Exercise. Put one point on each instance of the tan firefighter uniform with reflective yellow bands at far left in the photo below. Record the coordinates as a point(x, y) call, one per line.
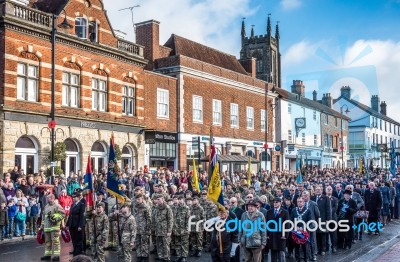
point(53, 214)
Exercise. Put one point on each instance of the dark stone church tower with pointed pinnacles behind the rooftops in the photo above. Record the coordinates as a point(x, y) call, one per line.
point(265, 49)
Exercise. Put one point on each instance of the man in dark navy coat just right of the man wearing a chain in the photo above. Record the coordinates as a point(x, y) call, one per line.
point(325, 212)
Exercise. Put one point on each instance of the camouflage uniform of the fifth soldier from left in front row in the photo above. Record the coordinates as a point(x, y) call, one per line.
point(180, 229)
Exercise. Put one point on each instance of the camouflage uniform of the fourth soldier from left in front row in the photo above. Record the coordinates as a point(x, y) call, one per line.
point(163, 220)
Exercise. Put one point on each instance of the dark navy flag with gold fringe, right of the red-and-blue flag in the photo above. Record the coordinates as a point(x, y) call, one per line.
point(113, 184)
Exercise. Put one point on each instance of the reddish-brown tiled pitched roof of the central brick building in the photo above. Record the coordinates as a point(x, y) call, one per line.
point(189, 48)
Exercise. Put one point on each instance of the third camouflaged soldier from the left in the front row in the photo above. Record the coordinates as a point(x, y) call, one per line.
point(142, 214)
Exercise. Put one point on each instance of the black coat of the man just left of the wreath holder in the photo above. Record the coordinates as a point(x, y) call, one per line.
point(274, 239)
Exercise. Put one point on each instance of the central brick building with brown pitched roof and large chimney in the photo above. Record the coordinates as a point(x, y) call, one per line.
point(212, 89)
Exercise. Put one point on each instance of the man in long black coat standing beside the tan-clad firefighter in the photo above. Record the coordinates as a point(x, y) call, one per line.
point(76, 224)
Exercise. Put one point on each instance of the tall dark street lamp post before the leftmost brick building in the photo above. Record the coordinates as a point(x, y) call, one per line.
point(52, 123)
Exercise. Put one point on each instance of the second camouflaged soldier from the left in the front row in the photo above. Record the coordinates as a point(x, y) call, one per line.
point(126, 232)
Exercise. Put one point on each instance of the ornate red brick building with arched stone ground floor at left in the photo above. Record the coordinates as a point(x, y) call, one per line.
point(100, 86)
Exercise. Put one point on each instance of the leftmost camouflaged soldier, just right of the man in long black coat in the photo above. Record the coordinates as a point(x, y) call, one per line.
point(100, 233)
